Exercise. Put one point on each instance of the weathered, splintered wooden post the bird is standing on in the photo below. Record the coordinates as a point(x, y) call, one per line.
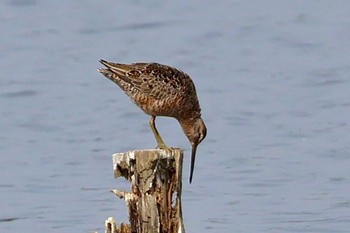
point(154, 201)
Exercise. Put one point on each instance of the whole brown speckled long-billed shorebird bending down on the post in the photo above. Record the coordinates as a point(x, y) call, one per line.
point(161, 90)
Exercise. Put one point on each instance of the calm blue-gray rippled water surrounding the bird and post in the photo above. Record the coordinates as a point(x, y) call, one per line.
point(273, 79)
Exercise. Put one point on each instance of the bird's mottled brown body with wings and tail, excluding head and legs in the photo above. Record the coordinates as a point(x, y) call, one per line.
point(157, 89)
